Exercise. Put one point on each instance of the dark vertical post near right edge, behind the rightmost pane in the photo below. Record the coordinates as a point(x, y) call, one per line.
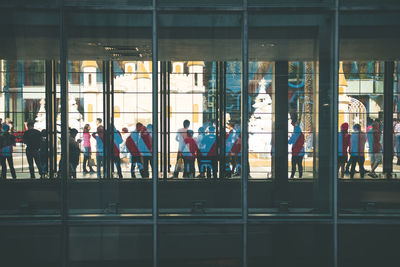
point(388, 119)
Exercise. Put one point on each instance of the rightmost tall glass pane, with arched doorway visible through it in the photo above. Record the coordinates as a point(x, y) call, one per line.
point(368, 107)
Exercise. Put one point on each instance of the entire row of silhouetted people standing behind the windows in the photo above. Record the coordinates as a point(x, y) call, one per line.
point(137, 146)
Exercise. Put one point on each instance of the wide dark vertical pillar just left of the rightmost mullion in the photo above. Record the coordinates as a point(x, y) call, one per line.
point(327, 116)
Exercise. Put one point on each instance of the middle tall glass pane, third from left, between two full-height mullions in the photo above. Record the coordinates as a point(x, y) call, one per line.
point(200, 104)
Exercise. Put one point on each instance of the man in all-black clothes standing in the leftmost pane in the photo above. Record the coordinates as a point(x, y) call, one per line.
point(32, 139)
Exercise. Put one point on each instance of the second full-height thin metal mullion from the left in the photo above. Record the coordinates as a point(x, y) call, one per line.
point(155, 132)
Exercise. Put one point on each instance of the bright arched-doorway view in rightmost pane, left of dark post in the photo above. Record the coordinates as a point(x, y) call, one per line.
point(360, 121)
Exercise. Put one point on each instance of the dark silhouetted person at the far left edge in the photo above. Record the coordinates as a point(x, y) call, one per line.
point(6, 152)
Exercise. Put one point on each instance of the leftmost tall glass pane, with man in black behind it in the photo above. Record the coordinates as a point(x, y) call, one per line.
point(28, 81)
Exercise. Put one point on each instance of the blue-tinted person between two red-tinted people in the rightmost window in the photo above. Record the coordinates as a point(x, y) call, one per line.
point(357, 146)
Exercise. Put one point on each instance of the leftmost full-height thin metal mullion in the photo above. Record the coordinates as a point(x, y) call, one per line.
point(64, 136)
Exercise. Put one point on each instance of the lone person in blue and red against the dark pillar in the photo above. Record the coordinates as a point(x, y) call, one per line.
point(297, 142)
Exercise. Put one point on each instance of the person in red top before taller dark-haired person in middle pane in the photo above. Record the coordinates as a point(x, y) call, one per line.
point(190, 152)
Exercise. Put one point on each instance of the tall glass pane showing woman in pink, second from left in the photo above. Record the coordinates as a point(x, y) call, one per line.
point(110, 112)
